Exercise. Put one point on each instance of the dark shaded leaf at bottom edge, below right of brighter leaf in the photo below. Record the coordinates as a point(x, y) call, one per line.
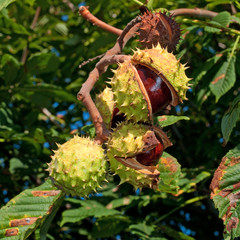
point(109, 226)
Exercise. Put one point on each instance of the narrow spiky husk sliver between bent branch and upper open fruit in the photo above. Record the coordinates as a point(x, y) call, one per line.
point(105, 104)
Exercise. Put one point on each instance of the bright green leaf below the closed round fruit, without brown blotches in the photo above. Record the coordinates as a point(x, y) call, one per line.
point(89, 208)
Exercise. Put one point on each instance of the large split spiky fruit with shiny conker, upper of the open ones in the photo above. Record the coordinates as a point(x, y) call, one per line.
point(152, 80)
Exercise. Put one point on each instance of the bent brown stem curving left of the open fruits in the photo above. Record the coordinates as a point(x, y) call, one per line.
point(102, 132)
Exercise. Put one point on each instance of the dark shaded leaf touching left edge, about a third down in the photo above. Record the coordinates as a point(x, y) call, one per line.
point(10, 67)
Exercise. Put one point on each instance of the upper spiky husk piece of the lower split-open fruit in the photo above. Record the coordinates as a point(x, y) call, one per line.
point(127, 140)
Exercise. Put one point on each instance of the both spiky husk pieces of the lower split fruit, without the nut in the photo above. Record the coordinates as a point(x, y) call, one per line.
point(128, 141)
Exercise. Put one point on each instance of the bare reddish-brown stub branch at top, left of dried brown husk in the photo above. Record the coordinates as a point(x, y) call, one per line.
point(87, 15)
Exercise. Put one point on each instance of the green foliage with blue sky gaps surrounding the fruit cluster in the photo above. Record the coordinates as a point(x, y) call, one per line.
point(39, 81)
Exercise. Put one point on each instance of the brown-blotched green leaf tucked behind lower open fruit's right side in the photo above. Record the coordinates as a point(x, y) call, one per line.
point(170, 171)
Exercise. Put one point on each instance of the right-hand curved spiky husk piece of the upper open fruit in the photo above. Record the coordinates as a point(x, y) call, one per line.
point(162, 61)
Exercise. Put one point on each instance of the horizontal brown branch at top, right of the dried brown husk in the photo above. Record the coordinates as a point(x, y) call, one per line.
point(193, 12)
